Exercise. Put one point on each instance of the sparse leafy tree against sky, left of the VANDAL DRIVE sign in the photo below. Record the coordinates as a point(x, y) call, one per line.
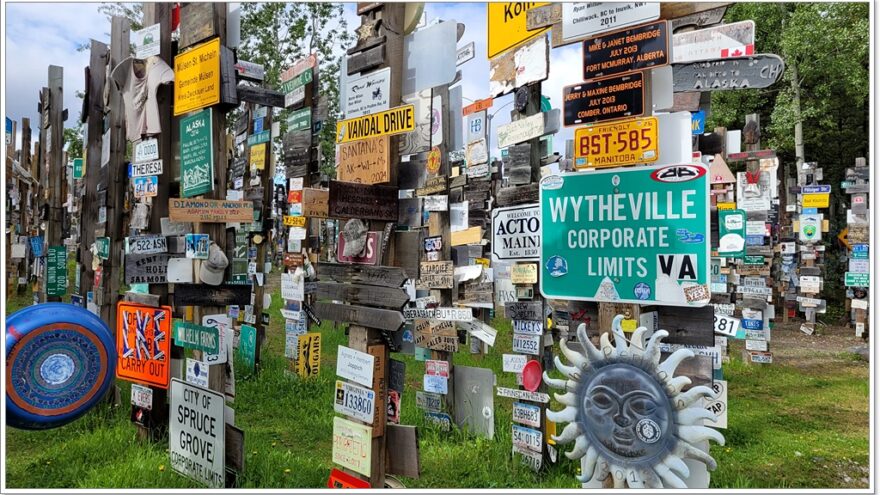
point(278, 34)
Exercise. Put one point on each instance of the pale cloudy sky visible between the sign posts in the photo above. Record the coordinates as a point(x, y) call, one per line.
point(41, 34)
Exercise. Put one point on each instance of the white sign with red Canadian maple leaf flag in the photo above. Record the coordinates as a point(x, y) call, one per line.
point(736, 39)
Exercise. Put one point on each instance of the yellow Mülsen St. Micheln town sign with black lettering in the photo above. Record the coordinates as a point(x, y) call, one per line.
point(197, 77)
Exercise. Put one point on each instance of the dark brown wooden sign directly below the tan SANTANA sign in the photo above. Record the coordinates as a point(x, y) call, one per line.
point(350, 200)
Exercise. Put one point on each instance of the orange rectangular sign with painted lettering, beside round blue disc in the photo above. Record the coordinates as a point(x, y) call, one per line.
point(143, 344)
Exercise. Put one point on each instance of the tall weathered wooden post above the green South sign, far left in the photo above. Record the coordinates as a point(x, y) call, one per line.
point(55, 158)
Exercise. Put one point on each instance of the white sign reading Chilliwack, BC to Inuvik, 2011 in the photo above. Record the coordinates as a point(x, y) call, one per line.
point(582, 20)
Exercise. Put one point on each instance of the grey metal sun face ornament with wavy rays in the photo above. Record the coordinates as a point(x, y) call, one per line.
point(626, 412)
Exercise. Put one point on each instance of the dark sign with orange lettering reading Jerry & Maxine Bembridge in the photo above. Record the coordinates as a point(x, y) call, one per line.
point(604, 99)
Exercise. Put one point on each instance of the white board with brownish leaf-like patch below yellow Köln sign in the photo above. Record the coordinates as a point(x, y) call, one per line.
point(523, 65)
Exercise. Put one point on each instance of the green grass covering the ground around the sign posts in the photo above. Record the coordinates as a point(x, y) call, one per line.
point(776, 413)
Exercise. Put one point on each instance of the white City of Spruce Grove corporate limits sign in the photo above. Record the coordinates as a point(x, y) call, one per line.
point(197, 440)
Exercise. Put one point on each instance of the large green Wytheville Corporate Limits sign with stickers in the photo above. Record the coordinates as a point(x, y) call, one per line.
point(638, 235)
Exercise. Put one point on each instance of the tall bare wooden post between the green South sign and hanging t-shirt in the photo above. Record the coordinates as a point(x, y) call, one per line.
point(92, 162)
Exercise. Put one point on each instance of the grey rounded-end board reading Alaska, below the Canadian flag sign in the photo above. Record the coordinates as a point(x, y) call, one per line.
point(754, 72)
